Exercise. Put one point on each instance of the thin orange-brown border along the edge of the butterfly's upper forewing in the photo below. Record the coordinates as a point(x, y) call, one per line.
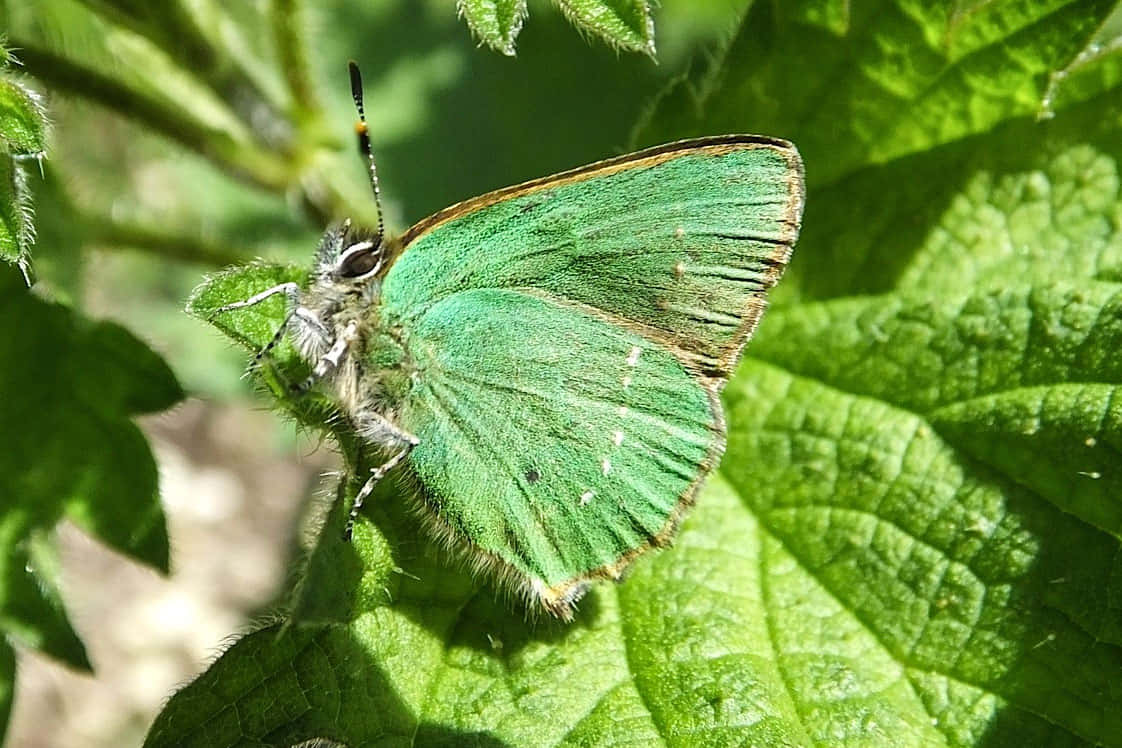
point(715, 145)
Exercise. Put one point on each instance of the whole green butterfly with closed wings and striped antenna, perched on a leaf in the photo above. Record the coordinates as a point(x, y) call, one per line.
point(547, 359)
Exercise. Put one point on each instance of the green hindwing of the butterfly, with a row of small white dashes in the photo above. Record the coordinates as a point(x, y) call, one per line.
point(556, 444)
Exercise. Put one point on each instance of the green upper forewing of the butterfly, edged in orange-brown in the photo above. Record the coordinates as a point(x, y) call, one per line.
point(682, 242)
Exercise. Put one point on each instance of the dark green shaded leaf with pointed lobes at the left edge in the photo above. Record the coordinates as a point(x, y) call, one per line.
point(84, 381)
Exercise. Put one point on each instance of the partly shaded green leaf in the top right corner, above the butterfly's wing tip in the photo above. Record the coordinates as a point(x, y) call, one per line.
point(862, 84)
